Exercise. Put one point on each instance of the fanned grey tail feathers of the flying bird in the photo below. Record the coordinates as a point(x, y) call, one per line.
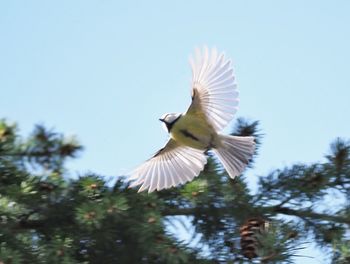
point(235, 153)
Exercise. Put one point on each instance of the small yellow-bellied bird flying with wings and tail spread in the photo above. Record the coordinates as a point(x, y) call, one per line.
point(199, 129)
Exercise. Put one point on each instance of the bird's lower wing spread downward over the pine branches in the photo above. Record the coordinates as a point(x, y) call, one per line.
point(172, 165)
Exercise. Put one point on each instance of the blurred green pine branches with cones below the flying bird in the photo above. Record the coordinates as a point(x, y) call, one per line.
point(48, 217)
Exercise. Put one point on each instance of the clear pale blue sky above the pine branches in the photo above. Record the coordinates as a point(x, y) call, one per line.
point(105, 71)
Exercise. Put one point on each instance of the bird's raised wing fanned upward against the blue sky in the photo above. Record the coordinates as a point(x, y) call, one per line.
point(214, 93)
